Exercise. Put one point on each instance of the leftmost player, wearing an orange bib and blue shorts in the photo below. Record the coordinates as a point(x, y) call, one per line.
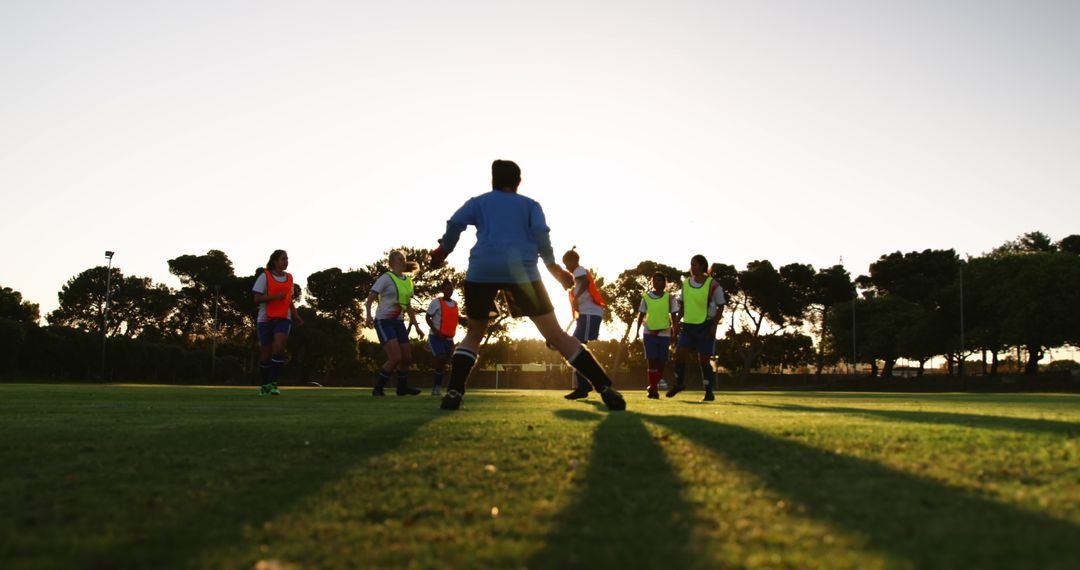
point(274, 293)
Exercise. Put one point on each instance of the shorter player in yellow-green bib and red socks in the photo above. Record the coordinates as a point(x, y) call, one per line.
point(659, 311)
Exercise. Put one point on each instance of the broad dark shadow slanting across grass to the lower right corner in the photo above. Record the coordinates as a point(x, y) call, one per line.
point(926, 523)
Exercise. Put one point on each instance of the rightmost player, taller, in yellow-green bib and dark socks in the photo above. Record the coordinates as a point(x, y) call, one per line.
point(703, 302)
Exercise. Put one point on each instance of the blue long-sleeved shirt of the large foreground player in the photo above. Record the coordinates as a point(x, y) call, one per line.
point(511, 235)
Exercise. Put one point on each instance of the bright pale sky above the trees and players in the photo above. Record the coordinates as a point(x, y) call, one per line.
point(788, 131)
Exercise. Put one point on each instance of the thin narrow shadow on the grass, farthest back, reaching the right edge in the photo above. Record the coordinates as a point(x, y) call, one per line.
point(969, 420)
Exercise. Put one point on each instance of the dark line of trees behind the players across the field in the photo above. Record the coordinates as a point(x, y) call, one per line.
point(1021, 298)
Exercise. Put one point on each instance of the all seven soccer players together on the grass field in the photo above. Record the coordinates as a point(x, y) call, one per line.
point(512, 236)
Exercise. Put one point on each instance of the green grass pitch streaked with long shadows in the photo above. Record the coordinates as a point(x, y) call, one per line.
point(199, 478)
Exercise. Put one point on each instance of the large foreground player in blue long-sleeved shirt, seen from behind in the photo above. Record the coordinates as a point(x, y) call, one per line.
point(511, 235)
